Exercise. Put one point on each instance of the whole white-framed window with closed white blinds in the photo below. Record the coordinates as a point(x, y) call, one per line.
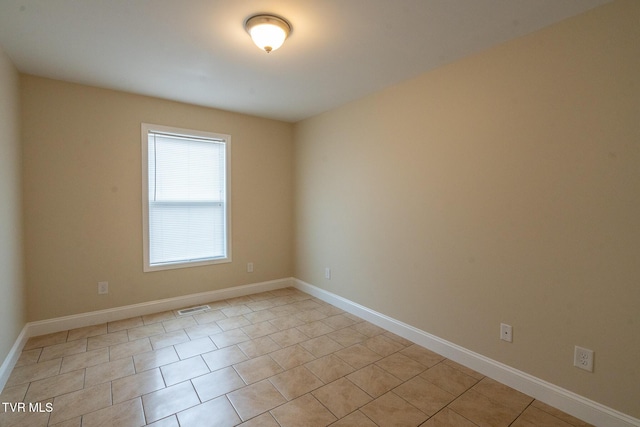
point(186, 213)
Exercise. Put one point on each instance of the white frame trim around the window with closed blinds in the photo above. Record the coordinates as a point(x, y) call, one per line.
point(146, 128)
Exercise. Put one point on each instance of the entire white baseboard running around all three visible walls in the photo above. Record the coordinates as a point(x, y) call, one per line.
point(567, 401)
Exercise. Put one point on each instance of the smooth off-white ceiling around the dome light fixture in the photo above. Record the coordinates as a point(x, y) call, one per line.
point(197, 51)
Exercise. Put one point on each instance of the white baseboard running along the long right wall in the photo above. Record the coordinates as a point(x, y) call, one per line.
point(565, 400)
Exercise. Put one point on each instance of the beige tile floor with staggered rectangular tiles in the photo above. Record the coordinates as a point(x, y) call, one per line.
point(279, 358)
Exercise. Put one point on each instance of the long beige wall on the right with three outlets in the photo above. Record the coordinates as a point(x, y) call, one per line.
point(501, 188)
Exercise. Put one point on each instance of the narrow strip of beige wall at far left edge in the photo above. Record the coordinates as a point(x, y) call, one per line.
point(12, 295)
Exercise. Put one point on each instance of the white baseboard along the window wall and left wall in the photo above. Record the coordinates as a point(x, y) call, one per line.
point(49, 326)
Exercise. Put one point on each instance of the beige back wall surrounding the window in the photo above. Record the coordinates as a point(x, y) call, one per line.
point(82, 198)
